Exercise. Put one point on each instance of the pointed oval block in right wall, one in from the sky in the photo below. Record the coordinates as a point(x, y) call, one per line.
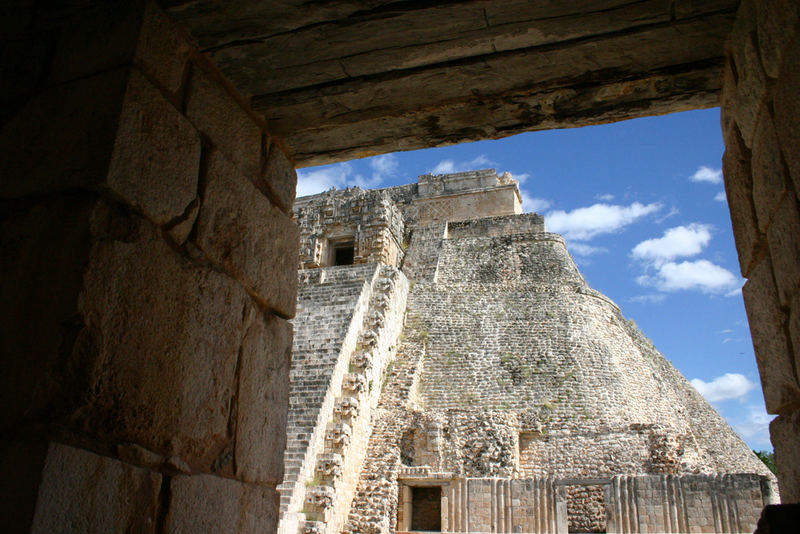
point(770, 182)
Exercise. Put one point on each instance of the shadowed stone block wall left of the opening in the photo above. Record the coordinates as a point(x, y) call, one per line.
point(148, 272)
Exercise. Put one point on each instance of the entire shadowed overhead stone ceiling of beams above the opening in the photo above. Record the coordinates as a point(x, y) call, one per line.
point(351, 79)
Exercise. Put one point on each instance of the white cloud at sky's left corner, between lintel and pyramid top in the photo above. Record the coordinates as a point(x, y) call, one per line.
point(341, 175)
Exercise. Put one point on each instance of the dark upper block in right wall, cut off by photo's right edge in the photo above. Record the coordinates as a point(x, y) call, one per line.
point(786, 101)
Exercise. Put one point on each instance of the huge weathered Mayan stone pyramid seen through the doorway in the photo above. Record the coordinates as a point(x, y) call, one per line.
point(452, 371)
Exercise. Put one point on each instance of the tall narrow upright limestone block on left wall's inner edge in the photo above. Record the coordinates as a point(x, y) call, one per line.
point(263, 400)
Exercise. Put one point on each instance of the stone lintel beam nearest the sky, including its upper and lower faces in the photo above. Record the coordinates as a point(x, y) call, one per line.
point(659, 69)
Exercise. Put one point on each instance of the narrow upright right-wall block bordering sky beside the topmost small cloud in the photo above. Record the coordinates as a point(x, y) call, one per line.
point(739, 191)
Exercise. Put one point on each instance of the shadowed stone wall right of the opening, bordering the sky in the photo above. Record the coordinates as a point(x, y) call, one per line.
point(760, 118)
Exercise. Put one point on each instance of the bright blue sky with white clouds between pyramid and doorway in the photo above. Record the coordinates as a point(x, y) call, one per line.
point(642, 206)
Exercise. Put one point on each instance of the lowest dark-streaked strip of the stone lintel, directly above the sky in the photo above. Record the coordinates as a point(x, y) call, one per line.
point(508, 114)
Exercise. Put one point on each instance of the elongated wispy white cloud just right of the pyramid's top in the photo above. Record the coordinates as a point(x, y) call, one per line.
point(586, 223)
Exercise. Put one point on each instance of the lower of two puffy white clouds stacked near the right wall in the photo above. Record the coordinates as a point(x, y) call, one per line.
point(699, 275)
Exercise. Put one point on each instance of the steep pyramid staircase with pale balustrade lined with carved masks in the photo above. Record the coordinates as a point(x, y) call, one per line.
point(337, 369)
